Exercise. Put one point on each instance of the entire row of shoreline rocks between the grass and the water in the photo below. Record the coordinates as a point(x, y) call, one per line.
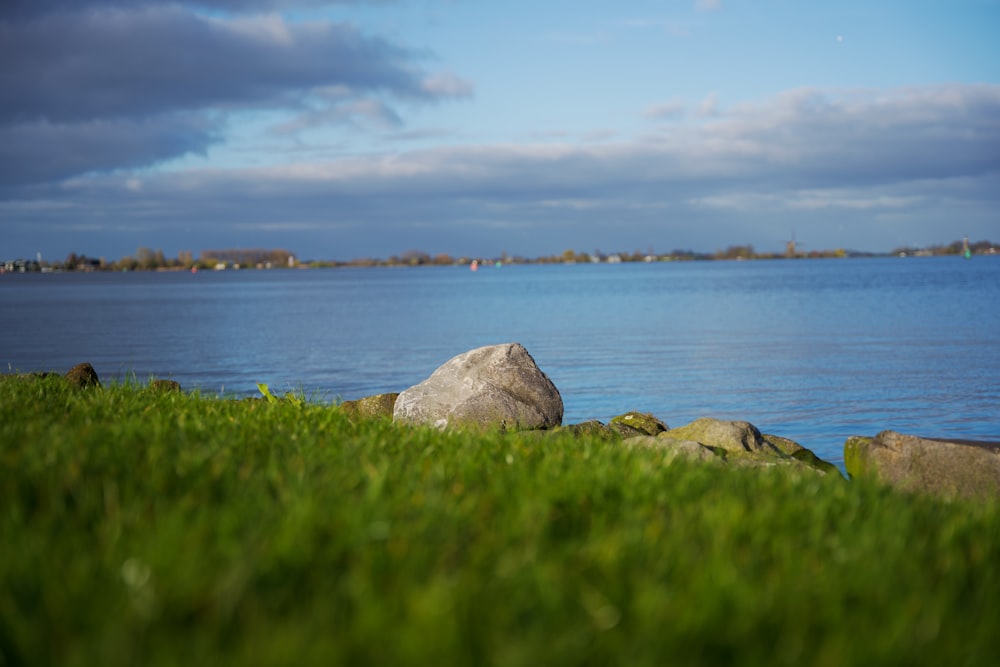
point(500, 387)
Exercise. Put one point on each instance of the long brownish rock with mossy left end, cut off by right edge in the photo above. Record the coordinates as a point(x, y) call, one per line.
point(948, 468)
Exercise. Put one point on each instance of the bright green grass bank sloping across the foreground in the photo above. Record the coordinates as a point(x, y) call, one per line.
point(148, 528)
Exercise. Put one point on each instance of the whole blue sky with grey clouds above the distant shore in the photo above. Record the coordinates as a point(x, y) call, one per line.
point(369, 128)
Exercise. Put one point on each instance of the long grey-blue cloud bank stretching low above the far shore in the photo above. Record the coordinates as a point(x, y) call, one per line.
point(861, 158)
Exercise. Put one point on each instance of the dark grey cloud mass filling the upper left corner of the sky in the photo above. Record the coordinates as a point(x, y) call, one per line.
point(108, 85)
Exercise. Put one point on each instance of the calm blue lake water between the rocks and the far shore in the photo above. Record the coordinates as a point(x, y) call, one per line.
point(812, 350)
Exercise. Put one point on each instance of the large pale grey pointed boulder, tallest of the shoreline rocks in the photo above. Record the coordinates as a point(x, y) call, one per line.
point(498, 386)
